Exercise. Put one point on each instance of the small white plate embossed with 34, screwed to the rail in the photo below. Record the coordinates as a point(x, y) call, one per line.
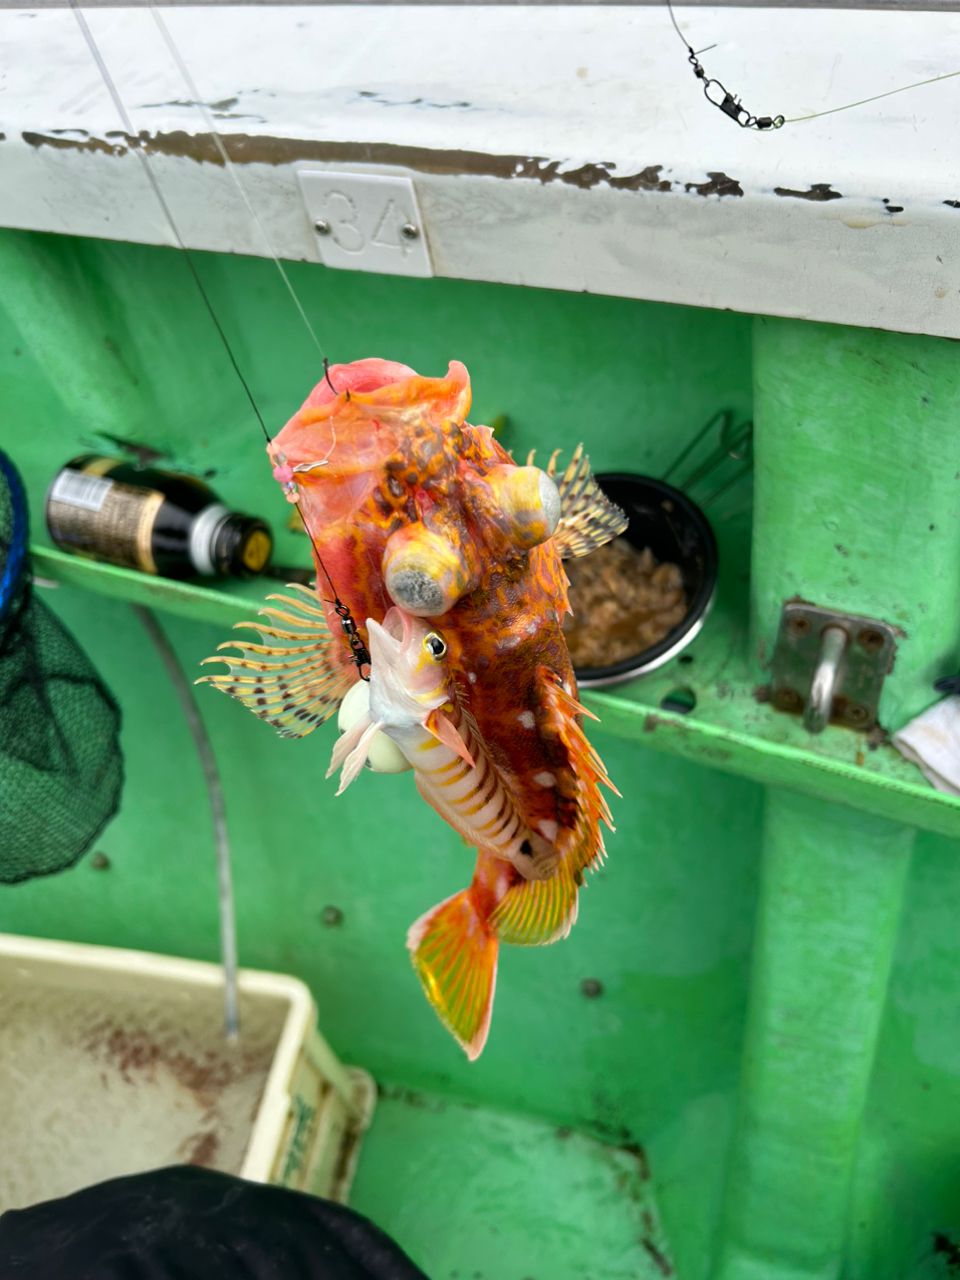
point(365, 223)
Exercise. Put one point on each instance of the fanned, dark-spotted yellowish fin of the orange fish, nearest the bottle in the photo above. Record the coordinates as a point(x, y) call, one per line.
point(296, 678)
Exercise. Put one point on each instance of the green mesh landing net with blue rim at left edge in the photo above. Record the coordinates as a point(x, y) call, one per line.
point(61, 765)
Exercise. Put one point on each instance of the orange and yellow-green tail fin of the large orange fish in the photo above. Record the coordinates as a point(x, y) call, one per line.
point(455, 956)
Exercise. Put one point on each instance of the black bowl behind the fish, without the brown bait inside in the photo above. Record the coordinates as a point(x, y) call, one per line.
point(676, 532)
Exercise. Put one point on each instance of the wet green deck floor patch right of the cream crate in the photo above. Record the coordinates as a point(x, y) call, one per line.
point(477, 1195)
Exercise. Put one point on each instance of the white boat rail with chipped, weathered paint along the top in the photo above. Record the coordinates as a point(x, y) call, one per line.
point(559, 89)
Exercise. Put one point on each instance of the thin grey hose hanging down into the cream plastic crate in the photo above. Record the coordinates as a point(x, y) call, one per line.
point(218, 812)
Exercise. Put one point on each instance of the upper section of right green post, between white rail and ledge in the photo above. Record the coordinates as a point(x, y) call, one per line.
point(858, 490)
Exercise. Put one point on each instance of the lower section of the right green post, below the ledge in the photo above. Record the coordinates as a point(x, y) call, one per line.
point(831, 892)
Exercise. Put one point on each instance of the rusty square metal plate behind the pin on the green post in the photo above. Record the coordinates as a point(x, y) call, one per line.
point(866, 661)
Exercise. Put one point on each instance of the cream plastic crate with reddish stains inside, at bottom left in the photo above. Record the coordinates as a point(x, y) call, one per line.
point(115, 1063)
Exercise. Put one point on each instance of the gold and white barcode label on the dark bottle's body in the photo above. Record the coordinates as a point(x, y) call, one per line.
point(104, 519)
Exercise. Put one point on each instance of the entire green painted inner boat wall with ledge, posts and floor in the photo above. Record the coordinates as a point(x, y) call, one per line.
point(761, 1080)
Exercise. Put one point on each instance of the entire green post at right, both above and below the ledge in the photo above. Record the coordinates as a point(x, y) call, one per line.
point(857, 505)
